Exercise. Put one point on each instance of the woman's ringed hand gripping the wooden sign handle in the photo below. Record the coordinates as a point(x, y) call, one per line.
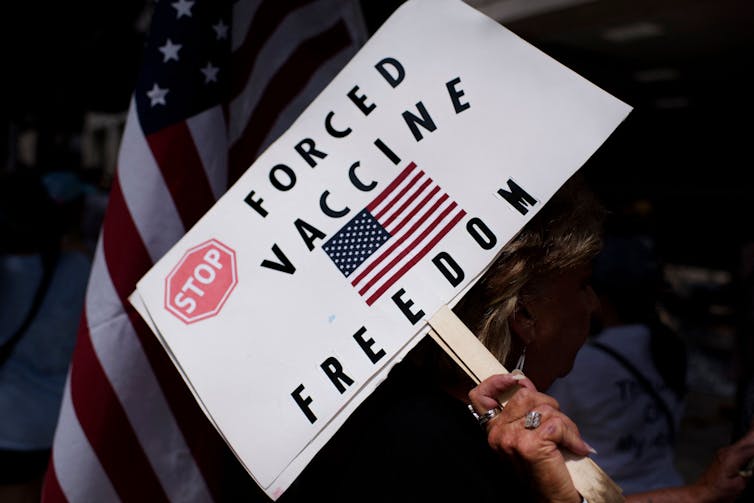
point(534, 451)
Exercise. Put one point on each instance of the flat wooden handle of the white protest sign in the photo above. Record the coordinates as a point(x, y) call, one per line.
point(474, 358)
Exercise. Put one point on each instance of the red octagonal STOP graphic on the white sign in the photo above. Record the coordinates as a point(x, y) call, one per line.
point(200, 284)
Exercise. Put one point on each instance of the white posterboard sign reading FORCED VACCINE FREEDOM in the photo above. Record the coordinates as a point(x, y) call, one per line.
point(291, 299)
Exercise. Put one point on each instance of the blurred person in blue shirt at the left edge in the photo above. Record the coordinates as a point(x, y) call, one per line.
point(43, 276)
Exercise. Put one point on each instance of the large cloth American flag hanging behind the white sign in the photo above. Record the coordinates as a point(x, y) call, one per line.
point(220, 81)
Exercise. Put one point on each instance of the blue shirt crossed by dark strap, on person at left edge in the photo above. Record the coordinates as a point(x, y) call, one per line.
point(33, 377)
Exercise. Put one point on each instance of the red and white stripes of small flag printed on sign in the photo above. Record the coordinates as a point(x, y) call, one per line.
point(417, 214)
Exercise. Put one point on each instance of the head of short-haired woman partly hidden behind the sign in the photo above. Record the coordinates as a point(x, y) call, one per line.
point(536, 295)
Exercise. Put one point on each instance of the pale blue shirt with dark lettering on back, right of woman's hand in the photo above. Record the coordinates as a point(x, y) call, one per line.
point(616, 416)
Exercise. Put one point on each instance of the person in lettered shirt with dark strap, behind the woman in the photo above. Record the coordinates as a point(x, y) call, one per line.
point(626, 389)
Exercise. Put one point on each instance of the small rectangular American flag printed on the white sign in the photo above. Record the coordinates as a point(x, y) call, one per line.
point(409, 217)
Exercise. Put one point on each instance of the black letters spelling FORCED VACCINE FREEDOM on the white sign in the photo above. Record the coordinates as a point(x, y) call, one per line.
point(283, 178)
